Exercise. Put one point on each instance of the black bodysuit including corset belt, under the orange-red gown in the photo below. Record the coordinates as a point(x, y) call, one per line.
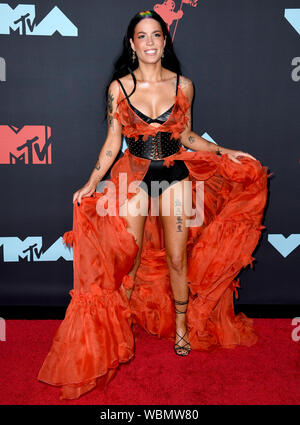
point(166, 147)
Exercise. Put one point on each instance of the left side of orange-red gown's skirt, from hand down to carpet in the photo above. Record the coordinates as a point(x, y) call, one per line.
point(95, 335)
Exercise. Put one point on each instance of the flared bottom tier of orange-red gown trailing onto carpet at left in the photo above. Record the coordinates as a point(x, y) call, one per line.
point(92, 340)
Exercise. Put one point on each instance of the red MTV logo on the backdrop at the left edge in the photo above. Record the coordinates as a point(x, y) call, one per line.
point(30, 144)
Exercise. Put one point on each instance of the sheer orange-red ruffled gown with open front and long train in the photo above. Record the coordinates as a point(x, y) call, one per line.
point(97, 333)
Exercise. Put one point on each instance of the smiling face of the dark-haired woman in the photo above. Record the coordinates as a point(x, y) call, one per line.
point(148, 41)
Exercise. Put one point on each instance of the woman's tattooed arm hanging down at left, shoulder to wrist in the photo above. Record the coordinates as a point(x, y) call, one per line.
point(112, 144)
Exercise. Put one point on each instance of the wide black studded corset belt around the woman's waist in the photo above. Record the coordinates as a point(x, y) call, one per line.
point(155, 147)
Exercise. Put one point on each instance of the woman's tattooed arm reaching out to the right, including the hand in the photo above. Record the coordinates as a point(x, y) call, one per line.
point(192, 140)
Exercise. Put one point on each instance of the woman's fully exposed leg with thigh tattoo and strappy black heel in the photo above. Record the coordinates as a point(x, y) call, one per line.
point(178, 201)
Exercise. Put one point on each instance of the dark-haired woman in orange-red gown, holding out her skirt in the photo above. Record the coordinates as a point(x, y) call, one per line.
point(129, 270)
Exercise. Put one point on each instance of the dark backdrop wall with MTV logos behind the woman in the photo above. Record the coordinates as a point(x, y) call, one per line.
point(243, 58)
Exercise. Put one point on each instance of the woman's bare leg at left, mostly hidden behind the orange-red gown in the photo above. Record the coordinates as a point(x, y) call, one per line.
point(136, 226)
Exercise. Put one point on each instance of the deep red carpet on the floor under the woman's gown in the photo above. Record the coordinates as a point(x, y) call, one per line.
point(266, 373)
